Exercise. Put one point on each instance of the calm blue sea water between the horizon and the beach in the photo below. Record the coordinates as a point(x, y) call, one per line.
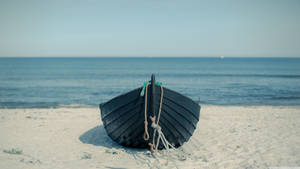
point(55, 82)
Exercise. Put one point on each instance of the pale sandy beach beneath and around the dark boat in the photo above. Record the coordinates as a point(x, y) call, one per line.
point(74, 138)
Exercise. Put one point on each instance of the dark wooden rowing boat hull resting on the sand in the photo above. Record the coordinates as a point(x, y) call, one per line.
point(123, 116)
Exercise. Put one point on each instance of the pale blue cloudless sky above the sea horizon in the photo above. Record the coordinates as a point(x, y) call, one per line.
point(237, 28)
